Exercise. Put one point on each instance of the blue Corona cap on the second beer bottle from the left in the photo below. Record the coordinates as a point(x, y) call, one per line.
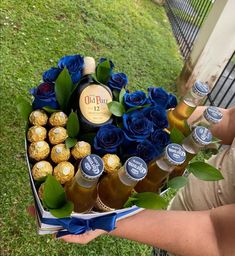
point(136, 168)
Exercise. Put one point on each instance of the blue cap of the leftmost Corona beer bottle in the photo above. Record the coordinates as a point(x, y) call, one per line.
point(91, 166)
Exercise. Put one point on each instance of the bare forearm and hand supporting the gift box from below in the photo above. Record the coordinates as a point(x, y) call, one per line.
point(184, 233)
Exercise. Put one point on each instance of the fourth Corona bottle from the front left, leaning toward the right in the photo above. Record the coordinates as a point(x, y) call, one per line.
point(196, 141)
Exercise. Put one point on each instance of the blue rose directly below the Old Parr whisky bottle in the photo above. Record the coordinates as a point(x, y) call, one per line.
point(108, 139)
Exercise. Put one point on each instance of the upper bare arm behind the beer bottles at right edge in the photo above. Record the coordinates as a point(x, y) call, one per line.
point(225, 130)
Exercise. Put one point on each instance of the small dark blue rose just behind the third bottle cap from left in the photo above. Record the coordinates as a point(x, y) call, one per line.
point(160, 139)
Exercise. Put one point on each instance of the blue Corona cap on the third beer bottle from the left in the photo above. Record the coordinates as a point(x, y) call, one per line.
point(175, 154)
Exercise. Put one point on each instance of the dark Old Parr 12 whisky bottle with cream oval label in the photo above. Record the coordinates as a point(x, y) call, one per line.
point(92, 98)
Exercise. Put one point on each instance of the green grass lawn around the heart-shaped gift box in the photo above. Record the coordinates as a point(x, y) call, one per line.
point(136, 35)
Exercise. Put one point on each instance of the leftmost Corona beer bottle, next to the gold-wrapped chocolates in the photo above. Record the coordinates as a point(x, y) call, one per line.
point(82, 189)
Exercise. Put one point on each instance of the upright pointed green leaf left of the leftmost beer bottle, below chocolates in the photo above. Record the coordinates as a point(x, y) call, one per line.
point(54, 195)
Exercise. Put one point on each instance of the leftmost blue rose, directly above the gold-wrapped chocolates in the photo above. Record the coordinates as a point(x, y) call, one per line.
point(44, 96)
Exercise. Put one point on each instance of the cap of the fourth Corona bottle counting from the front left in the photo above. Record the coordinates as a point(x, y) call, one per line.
point(202, 135)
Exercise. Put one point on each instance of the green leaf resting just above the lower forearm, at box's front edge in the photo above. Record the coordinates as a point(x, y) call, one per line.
point(147, 200)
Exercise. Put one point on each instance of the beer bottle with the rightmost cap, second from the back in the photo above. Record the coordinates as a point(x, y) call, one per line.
point(210, 116)
